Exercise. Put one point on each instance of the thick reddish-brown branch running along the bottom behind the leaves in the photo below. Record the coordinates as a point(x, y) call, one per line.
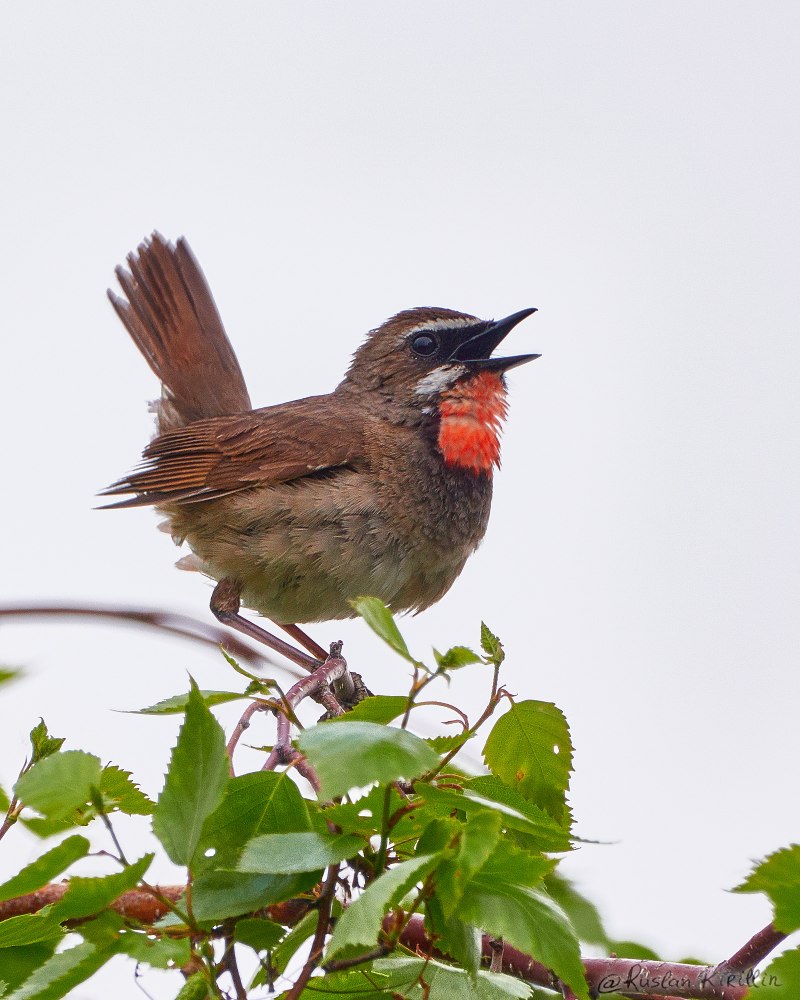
point(729, 980)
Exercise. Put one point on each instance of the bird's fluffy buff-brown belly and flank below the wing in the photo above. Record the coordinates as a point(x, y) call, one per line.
point(301, 552)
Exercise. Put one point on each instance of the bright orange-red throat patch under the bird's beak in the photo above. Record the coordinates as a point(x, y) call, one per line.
point(472, 413)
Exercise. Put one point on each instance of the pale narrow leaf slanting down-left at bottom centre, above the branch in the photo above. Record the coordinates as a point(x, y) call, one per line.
point(360, 923)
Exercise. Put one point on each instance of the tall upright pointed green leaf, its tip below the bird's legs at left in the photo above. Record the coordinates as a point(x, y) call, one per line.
point(195, 783)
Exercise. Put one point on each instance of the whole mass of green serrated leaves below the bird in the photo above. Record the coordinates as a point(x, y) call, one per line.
point(397, 833)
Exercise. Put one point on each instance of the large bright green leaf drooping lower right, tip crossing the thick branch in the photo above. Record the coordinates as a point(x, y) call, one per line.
point(504, 899)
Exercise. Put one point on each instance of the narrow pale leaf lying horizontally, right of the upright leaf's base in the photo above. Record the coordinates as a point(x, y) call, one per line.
point(289, 853)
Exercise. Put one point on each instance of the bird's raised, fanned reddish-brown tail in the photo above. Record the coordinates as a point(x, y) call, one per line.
point(172, 318)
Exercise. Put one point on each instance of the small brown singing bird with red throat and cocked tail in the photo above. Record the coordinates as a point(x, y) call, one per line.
point(381, 487)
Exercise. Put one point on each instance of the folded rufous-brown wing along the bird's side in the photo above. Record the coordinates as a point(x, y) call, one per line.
point(211, 458)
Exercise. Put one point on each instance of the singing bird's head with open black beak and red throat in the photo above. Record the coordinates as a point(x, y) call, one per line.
point(438, 363)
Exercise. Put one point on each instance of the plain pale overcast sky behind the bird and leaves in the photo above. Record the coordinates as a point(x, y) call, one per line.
point(631, 169)
